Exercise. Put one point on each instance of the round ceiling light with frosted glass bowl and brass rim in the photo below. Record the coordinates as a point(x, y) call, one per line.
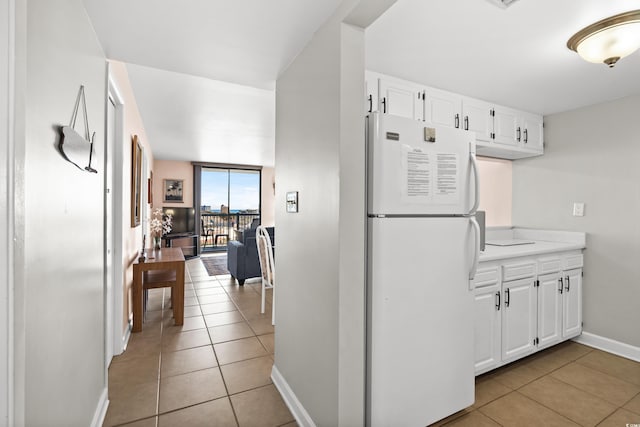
point(608, 40)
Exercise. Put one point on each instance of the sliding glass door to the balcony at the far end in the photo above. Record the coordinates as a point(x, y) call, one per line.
point(229, 201)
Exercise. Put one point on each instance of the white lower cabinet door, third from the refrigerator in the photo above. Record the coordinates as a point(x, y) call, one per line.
point(550, 292)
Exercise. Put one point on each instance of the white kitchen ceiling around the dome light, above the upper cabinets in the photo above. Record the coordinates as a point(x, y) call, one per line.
point(515, 57)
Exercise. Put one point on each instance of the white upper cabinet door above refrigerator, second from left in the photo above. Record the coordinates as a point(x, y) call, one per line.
point(401, 99)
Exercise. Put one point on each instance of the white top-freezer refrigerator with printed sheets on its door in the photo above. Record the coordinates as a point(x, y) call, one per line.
point(423, 248)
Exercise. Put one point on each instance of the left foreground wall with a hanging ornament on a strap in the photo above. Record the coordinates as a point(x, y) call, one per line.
point(60, 375)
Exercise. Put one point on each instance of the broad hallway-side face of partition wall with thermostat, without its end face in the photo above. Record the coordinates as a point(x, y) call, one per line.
point(307, 155)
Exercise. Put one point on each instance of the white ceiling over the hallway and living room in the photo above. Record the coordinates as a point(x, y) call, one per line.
point(203, 72)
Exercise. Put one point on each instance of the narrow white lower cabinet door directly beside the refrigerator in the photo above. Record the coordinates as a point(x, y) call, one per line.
point(487, 327)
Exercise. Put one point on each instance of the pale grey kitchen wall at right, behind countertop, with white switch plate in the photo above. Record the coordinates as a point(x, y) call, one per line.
point(591, 156)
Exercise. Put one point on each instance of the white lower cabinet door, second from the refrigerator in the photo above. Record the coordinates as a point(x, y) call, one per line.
point(518, 318)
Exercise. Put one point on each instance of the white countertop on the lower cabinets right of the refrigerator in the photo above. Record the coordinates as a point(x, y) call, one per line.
point(545, 241)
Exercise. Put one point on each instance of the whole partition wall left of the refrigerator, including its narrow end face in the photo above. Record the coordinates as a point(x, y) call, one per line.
point(320, 297)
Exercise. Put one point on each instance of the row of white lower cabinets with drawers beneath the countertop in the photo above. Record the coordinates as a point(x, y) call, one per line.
point(525, 305)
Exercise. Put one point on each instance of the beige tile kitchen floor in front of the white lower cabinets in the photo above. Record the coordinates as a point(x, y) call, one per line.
point(565, 385)
